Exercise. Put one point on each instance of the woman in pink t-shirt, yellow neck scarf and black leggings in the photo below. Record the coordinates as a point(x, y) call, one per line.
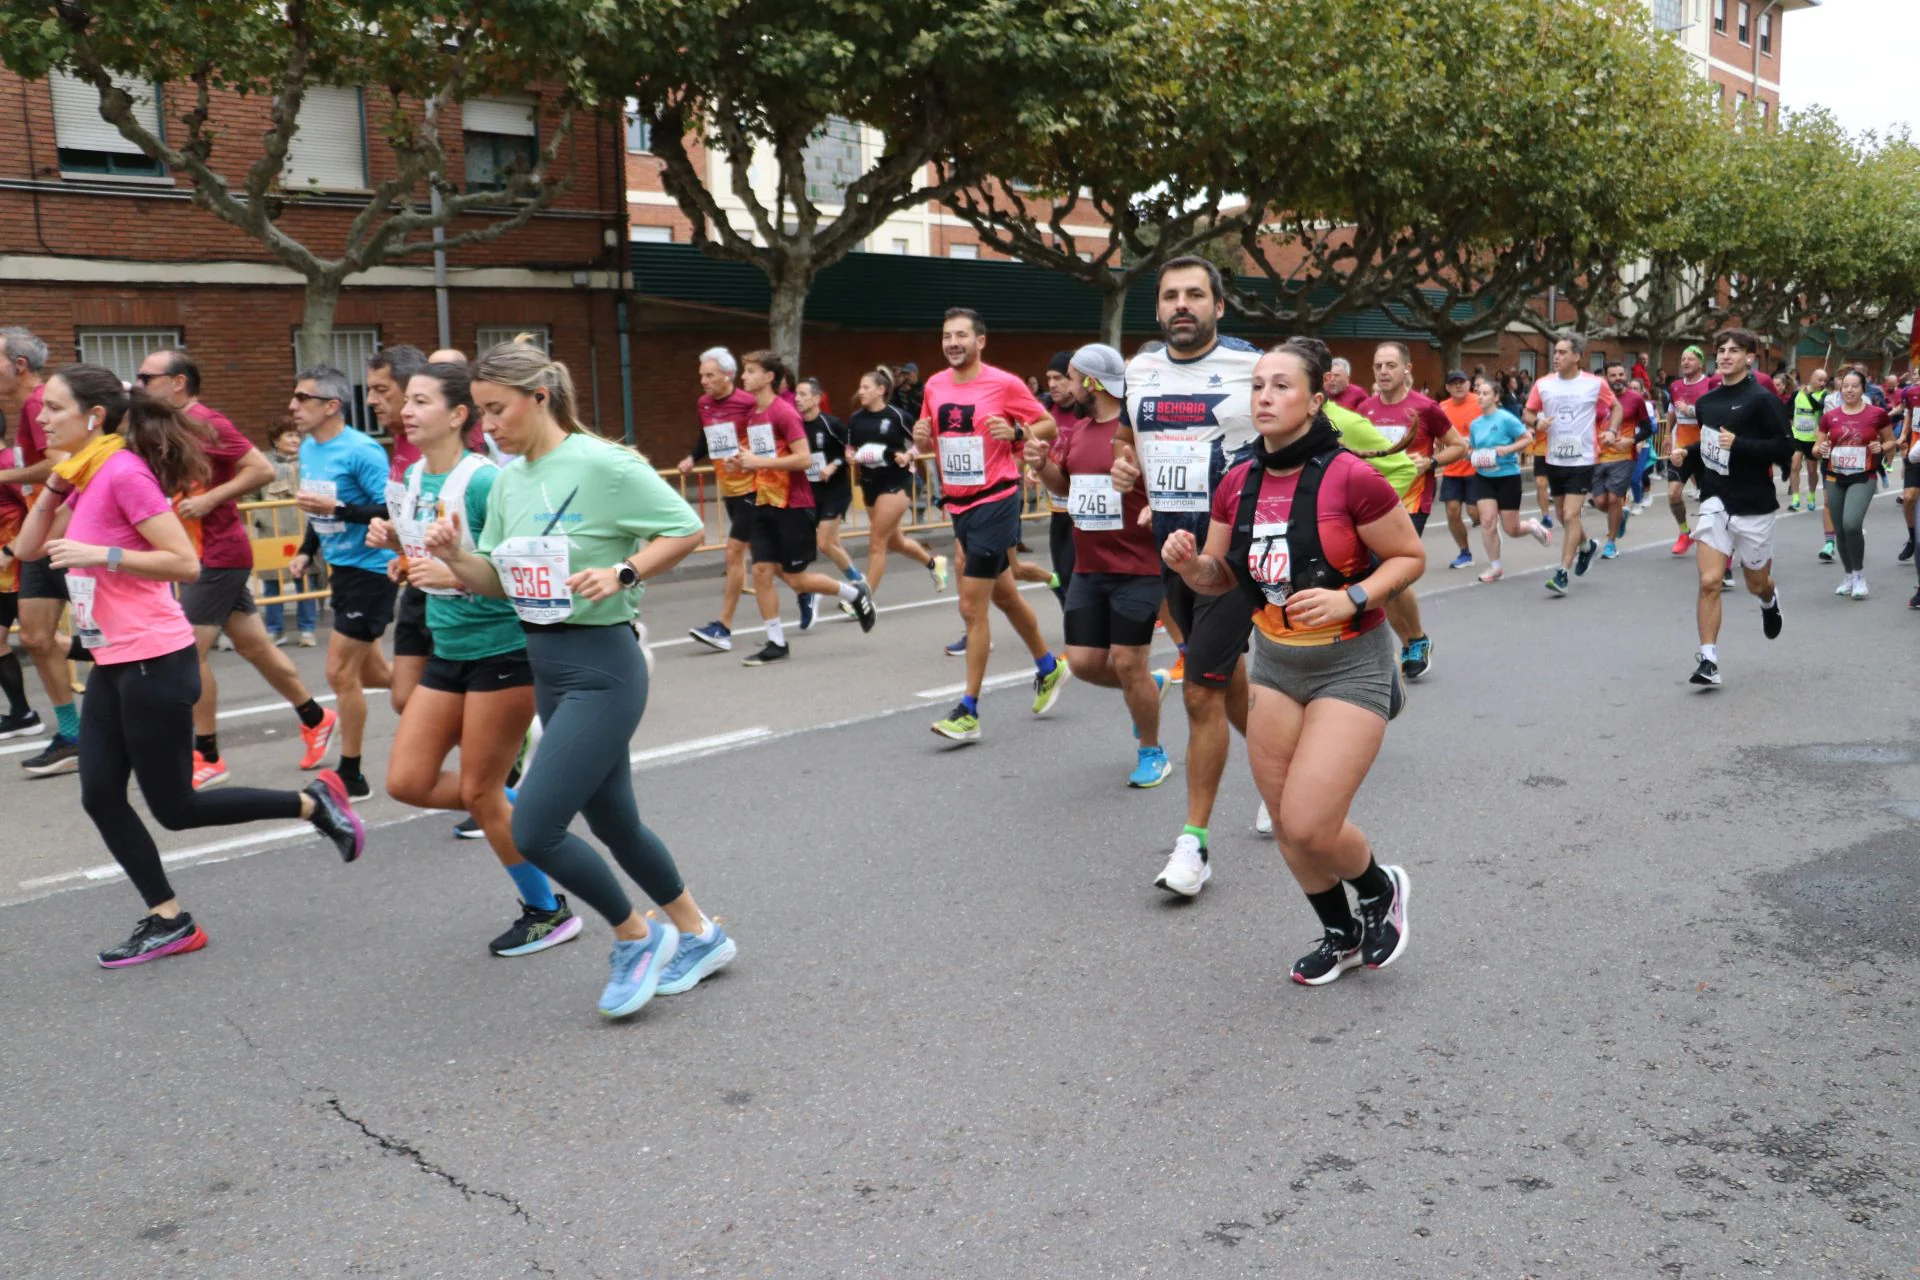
point(107, 519)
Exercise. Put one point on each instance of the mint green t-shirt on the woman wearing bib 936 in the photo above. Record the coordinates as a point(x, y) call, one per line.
point(606, 502)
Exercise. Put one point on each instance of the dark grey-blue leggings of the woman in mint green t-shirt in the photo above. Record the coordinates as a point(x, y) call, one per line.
point(590, 686)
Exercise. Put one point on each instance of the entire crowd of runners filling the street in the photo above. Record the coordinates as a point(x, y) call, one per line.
point(1257, 508)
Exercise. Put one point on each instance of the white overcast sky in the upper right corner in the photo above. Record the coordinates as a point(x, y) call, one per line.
point(1854, 59)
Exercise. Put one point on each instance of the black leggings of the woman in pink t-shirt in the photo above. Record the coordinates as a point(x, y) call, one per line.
point(137, 721)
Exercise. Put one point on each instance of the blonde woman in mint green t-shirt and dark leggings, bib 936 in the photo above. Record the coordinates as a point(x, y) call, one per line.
point(575, 592)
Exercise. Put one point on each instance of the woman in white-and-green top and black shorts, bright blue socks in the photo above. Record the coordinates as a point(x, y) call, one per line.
point(477, 692)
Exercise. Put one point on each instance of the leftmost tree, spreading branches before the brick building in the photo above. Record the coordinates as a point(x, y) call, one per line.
point(420, 59)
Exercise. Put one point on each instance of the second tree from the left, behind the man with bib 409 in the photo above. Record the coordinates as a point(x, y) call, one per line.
point(944, 83)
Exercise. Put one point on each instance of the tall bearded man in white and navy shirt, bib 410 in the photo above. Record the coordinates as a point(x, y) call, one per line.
point(1188, 421)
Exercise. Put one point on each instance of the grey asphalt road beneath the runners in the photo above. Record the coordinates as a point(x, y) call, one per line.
point(1658, 1016)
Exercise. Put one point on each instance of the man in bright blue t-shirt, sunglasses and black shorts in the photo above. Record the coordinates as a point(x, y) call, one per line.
point(343, 488)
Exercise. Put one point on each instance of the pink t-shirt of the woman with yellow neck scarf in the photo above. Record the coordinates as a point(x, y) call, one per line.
point(137, 617)
